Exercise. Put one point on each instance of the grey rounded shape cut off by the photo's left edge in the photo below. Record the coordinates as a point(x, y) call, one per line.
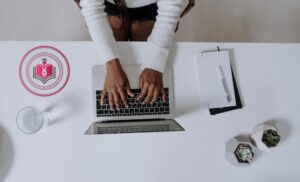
point(6, 153)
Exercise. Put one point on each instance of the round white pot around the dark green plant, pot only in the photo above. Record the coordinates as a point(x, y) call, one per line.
point(258, 134)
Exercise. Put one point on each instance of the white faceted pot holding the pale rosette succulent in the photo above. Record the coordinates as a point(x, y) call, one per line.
point(233, 150)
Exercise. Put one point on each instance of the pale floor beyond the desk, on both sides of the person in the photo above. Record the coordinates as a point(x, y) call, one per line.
point(211, 20)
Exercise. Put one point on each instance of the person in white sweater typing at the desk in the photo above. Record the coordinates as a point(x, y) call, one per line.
point(153, 21)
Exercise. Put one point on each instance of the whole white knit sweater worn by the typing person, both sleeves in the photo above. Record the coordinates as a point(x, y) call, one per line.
point(158, 43)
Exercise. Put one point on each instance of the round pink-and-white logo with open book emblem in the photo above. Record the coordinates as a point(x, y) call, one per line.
point(44, 71)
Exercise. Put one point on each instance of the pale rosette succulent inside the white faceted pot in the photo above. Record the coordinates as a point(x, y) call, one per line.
point(244, 153)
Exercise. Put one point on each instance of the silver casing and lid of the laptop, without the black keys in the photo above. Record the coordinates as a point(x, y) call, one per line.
point(129, 124)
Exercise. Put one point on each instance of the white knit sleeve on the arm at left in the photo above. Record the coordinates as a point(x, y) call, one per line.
point(99, 28)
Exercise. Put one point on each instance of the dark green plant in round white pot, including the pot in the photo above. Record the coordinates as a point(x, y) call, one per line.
point(265, 137)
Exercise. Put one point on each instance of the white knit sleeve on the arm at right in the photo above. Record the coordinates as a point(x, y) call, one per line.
point(161, 38)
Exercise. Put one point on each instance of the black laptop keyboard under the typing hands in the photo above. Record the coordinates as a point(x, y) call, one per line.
point(135, 107)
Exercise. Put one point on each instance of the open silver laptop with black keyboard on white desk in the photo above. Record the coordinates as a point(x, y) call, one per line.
point(138, 117)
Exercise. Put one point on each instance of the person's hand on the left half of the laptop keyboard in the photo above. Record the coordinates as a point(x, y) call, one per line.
point(116, 85)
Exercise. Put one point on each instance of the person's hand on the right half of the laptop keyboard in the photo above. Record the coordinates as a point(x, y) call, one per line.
point(151, 85)
